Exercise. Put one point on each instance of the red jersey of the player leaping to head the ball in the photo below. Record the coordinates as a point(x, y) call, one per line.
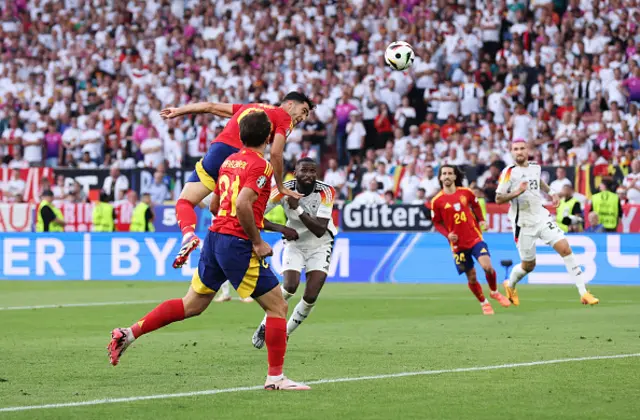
point(280, 123)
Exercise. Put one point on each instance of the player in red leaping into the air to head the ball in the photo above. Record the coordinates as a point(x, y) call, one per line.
point(294, 109)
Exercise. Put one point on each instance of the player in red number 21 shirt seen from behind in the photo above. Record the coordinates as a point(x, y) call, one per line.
point(234, 250)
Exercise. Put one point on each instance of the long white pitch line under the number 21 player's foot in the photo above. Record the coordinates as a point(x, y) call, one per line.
point(321, 381)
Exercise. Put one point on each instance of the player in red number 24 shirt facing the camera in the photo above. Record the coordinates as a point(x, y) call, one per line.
point(452, 216)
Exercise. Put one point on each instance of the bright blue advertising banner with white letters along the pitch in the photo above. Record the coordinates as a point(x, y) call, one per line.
point(357, 257)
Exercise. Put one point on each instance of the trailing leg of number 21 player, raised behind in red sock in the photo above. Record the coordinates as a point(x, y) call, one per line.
point(167, 312)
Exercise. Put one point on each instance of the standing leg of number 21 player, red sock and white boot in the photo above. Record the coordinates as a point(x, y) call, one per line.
point(276, 309)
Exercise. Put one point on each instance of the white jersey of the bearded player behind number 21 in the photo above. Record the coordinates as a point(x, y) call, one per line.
point(319, 204)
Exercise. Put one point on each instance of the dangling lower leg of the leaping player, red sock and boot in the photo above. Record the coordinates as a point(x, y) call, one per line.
point(192, 194)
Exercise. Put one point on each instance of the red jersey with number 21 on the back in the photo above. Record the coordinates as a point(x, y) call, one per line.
point(243, 169)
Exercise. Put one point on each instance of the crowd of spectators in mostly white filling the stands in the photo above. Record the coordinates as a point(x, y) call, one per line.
point(82, 83)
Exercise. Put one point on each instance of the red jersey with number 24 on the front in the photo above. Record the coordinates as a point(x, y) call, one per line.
point(455, 211)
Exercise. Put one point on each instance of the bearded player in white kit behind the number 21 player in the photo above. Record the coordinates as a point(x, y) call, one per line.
point(308, 238)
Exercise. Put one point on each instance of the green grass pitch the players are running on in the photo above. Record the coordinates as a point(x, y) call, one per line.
point(57, 355)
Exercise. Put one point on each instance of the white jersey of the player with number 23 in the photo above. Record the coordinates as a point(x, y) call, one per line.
point(527, 210)
